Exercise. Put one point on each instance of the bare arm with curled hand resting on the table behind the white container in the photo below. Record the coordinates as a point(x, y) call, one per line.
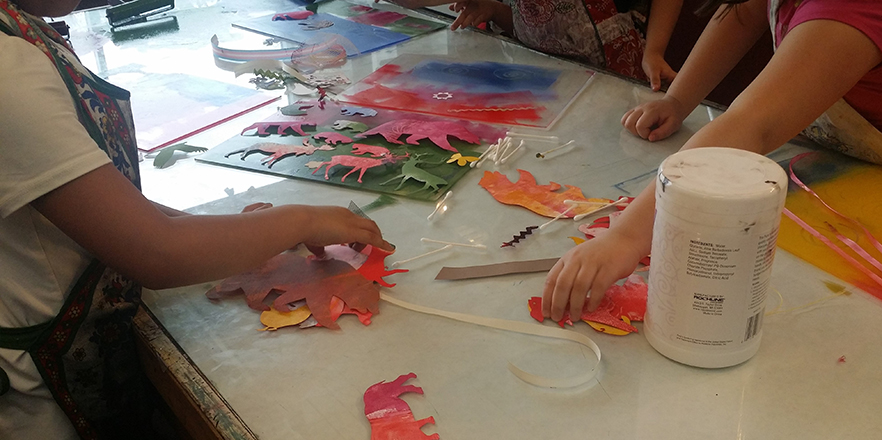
point(723, 43)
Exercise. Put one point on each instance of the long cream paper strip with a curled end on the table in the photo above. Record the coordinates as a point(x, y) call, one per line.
point(518, 327)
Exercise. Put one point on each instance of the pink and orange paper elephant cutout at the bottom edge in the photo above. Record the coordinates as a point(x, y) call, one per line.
point(391, 417)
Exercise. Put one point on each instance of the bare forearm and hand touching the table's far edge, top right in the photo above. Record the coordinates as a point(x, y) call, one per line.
point(663, 16)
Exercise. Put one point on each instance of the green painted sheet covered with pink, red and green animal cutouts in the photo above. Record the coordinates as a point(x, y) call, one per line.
point(392, 153)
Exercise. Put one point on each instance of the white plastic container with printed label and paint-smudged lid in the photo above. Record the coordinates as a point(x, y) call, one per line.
point(716, 224)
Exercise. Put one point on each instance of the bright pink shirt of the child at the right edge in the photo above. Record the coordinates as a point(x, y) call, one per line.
point(863, 15)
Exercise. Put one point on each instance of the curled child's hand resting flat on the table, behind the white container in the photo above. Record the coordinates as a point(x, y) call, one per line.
point(655, 120)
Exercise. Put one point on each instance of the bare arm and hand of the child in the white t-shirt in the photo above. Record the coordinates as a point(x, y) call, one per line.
point(103, 212)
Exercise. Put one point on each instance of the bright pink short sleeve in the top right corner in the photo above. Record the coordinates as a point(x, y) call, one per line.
point(863, 15)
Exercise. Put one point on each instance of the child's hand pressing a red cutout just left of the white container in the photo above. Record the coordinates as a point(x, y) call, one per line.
point(591, 266)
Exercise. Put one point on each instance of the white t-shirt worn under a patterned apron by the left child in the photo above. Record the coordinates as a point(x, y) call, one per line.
point(42, 147)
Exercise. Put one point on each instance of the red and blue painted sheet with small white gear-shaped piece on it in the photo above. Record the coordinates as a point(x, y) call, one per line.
point(485, 91)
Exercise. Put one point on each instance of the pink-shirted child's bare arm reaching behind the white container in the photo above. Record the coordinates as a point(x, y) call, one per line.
point(816, 64)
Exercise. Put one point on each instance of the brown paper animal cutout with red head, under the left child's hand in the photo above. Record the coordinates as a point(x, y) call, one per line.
point(315, 280)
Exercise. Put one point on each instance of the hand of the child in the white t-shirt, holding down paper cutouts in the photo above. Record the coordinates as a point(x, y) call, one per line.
point(327, 225)
